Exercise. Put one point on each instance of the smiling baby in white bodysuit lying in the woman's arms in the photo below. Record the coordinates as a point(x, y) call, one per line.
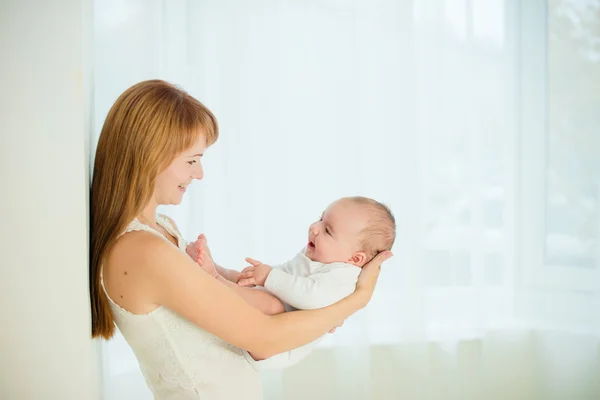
point(348, 235)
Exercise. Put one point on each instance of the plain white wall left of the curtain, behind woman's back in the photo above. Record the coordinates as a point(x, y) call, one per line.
point(45, 346)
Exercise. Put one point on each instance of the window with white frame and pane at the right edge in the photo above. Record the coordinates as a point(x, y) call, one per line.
point(563, 68)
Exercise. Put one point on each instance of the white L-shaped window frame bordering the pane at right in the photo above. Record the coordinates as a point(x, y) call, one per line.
point(532, 59)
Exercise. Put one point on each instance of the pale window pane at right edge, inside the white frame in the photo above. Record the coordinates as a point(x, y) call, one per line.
point(573, 146)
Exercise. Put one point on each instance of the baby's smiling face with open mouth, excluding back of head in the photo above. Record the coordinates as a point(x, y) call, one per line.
point(335, 237)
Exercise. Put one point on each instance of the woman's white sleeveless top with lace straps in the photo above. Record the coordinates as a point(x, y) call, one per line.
point(178, 359)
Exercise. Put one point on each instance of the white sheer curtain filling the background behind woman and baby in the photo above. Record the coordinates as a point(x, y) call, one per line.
point(475, 121)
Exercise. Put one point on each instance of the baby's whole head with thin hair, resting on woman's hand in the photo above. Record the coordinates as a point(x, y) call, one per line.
point(351, 230)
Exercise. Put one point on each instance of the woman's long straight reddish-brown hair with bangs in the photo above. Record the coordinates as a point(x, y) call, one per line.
point(147, 127)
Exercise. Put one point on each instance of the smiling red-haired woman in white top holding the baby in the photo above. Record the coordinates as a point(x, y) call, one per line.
point(185, 327)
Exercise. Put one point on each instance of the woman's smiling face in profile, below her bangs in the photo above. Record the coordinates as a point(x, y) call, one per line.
point(172, 183)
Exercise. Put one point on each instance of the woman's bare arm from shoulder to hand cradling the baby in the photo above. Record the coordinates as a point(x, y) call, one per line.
point(172, 279)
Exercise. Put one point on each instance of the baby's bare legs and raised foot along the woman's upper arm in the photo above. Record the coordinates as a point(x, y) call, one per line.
point(259, 299)
